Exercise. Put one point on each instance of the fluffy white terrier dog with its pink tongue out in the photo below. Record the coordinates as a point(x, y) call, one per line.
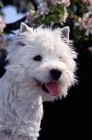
point(41, 68)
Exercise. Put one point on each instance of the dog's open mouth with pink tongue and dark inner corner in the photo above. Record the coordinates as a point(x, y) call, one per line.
point(52, 88)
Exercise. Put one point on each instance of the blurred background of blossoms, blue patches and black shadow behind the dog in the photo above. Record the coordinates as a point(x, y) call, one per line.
point(71, 117)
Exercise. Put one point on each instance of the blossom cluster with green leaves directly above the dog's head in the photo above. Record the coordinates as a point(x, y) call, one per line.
point(49, 12)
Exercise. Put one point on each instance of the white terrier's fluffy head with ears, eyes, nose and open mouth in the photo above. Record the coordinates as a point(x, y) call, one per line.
point(46, 61)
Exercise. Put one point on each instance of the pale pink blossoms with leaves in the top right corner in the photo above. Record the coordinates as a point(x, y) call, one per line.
point(80, 13)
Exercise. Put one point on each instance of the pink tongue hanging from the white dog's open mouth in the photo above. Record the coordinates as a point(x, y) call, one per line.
point(53, 88)
